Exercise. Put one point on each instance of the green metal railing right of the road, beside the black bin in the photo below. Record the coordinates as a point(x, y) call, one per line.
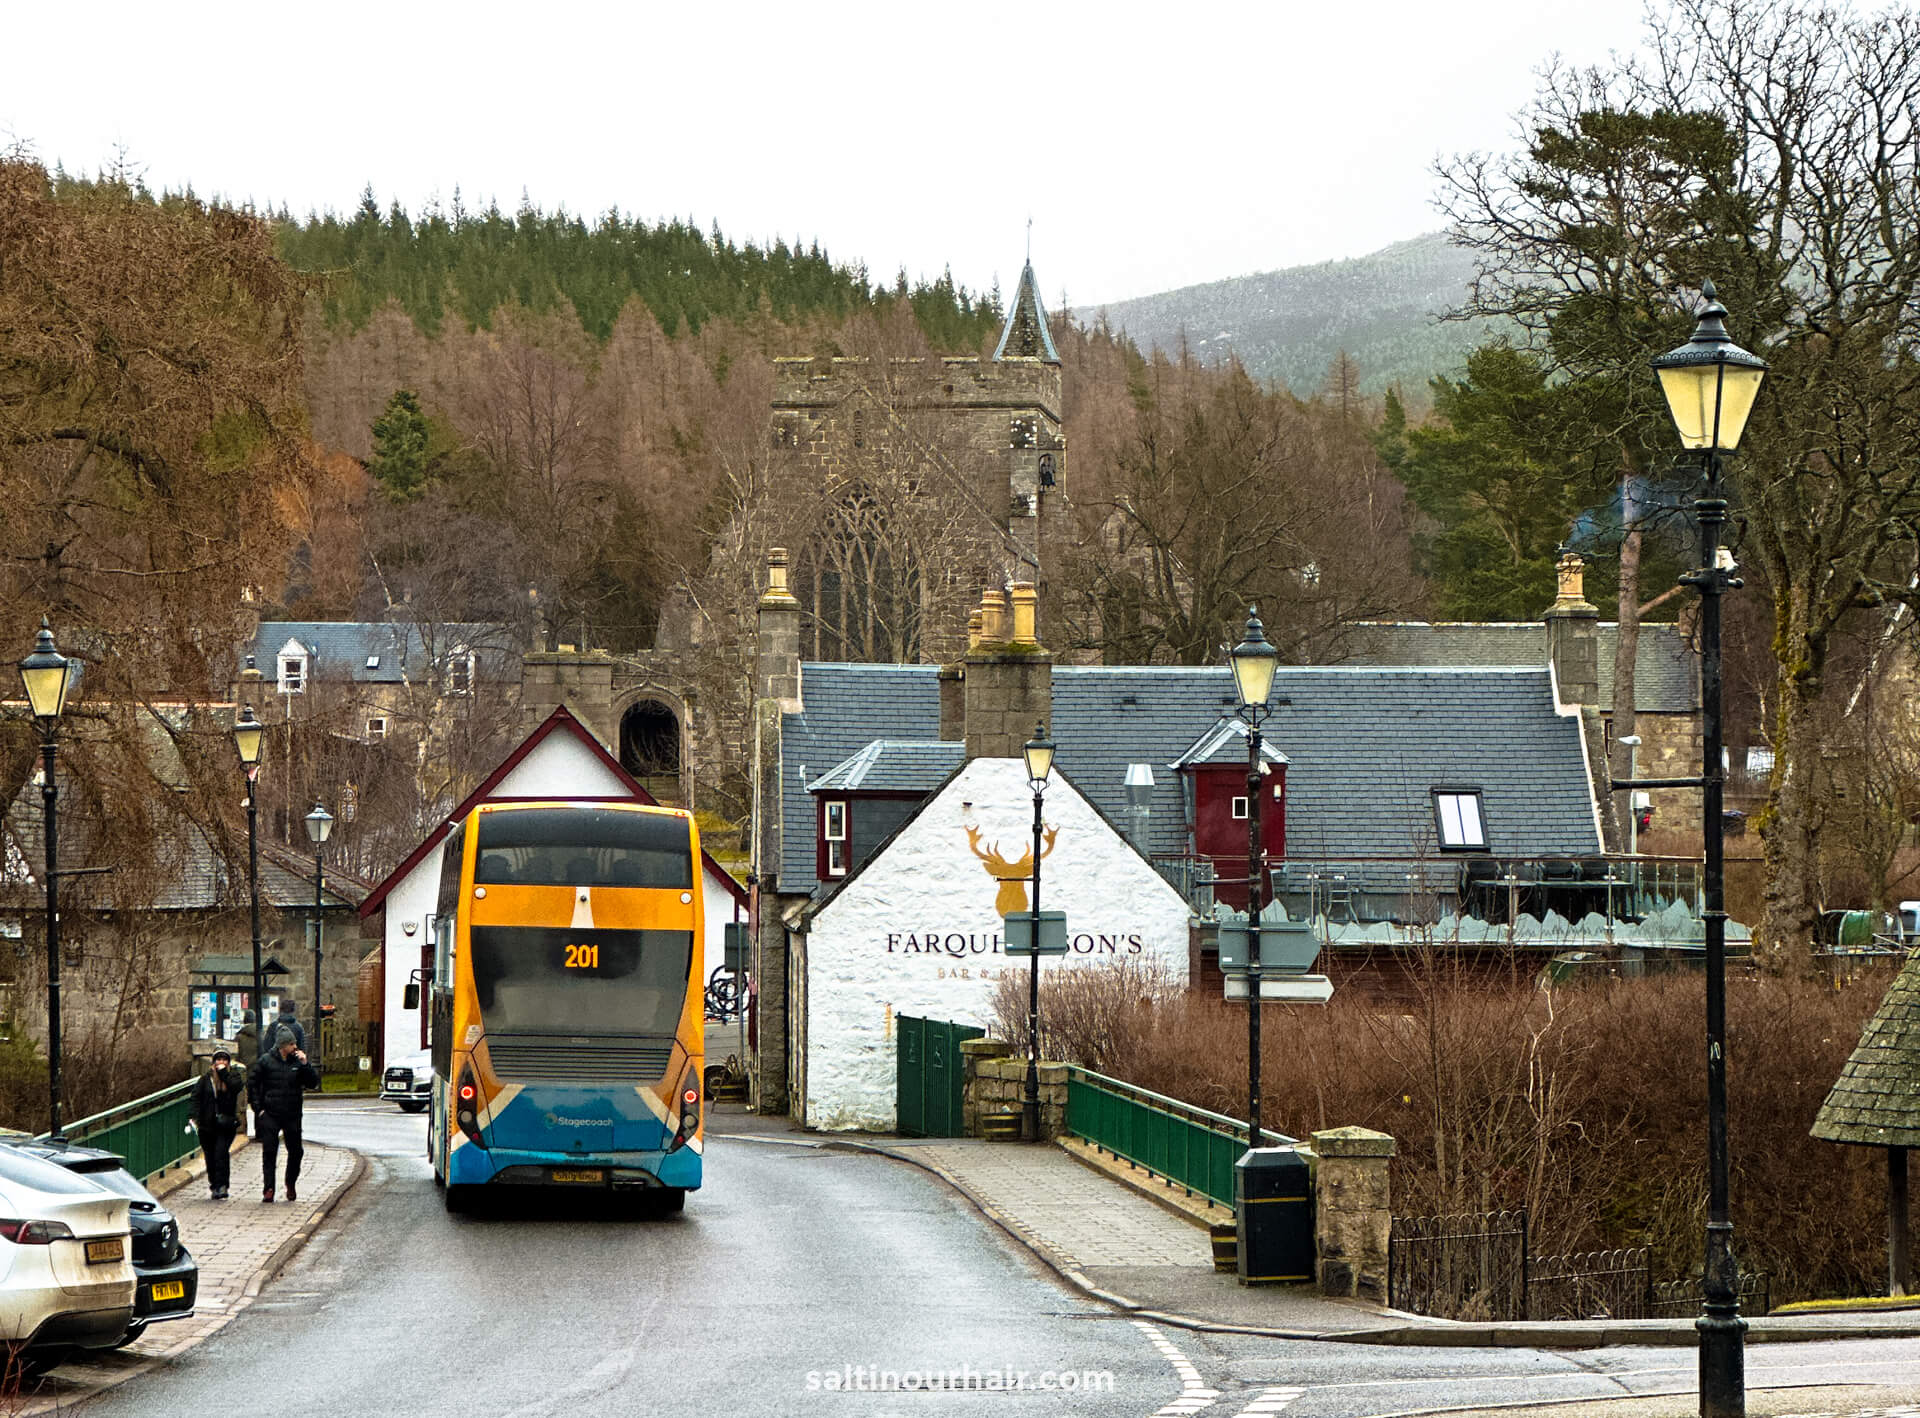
point(1189, 1146)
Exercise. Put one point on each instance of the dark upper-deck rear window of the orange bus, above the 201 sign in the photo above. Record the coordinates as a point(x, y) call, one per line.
point(585, 847)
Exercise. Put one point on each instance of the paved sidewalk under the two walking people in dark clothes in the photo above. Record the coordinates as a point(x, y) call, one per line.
point(239, 1244)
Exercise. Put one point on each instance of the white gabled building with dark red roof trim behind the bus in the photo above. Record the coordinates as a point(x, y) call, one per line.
point(562, 759)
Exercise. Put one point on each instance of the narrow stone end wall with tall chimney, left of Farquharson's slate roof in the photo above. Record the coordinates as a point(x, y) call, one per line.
point(777, 694)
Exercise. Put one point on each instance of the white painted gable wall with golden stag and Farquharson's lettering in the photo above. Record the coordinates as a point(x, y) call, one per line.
point(917, 932)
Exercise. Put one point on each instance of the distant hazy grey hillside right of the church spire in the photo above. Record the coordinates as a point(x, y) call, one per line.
point(1289, 325)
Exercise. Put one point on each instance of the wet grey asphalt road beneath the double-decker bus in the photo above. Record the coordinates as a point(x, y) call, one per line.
point(798, 1279)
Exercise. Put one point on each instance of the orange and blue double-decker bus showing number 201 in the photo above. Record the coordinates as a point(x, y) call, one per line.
point(567, 1020)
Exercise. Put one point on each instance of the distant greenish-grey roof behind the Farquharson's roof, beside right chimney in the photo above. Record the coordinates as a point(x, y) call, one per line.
point(1666, 669)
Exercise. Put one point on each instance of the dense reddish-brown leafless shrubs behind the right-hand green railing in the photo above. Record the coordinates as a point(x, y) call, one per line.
point(1585, 1104)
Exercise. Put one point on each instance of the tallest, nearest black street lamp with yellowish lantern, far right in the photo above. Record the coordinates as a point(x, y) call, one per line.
point(1712, 385)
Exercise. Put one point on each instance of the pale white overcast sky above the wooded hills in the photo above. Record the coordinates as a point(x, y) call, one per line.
point(1153, 145)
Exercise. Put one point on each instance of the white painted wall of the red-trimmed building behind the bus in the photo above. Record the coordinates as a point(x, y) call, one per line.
point(560, 767)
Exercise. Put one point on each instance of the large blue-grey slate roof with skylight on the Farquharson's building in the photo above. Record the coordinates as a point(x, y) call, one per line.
point(1366, 747)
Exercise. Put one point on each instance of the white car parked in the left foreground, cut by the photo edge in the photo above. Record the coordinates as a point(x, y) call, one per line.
point(66, 1262)
